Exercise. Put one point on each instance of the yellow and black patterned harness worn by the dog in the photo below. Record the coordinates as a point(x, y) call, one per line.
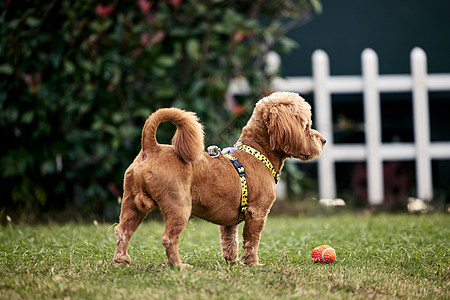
point(216, 152)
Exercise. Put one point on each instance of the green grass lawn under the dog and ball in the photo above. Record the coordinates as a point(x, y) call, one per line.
point(378, 256)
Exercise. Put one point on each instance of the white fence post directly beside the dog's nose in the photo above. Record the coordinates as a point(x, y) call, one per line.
point(323, 118)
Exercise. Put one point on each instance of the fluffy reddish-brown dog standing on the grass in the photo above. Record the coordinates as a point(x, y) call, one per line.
point(182, 180)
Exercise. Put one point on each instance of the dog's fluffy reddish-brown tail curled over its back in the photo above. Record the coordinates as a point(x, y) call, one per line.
point(188, 139)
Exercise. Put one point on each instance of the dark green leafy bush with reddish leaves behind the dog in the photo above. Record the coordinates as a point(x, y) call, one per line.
point(79, 78)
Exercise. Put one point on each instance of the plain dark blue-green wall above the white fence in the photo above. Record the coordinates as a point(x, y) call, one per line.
point(390, 27)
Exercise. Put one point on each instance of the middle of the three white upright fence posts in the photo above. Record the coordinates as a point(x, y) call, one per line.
point(372, 124)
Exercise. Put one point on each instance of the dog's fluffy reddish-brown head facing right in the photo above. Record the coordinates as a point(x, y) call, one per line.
point(287, 118)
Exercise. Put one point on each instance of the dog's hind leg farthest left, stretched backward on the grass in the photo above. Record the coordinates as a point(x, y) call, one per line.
point(134, 210)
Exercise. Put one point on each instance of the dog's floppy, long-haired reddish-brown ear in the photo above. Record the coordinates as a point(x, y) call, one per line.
point(286, 128)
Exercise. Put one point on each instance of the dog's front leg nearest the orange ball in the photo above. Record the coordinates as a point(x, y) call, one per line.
point(254, 224)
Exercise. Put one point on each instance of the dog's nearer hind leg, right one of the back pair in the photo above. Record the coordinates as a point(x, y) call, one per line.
point(176, 213)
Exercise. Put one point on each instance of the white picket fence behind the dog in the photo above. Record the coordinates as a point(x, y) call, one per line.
point(373, 152)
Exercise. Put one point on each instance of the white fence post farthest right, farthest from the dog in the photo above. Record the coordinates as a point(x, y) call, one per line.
point(421, 124)
